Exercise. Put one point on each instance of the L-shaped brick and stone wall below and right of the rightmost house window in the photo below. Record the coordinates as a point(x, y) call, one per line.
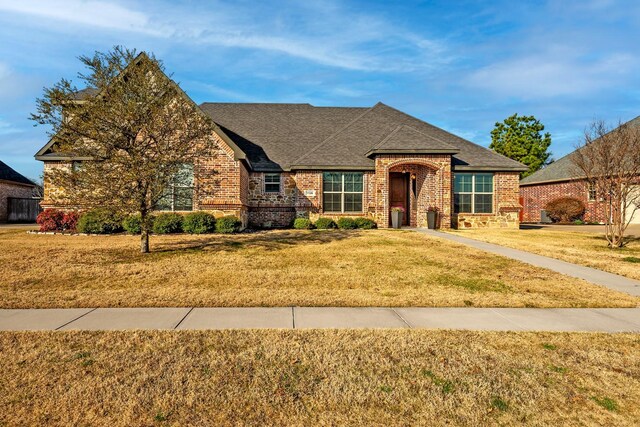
point(506, 206)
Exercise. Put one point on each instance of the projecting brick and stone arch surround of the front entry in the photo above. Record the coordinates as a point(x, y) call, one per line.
point(433, 187)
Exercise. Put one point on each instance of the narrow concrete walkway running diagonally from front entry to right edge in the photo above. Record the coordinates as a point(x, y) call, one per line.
point(598, 277)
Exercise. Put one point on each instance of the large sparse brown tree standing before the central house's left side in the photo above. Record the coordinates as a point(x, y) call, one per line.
point(129, 141)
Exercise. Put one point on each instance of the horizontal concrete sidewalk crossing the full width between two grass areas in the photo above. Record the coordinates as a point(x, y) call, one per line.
point(486, 319)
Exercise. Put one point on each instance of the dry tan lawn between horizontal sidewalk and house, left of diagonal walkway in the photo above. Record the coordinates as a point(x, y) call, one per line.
point(278, 268)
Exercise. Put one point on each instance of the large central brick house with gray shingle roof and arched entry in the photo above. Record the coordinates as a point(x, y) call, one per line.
point(276, 162)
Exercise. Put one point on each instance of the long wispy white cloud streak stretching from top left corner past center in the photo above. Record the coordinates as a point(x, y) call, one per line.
point(328, 35)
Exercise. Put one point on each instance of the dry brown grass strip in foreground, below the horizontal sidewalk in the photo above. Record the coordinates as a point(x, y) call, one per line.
point(326, 377)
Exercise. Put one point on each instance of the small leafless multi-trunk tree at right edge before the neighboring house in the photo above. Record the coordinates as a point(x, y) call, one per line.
point(609, 159)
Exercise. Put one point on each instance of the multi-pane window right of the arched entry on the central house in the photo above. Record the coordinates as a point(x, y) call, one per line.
point(473, 193)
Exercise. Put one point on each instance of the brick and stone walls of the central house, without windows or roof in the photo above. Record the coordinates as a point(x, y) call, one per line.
point(224, 186)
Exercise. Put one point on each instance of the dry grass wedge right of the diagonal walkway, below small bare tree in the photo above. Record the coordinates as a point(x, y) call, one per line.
point(580, 248)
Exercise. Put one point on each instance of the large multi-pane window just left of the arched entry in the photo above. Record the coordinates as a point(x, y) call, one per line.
point(342, 191)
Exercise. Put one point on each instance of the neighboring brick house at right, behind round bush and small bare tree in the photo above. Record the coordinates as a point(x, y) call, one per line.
point(561, 179)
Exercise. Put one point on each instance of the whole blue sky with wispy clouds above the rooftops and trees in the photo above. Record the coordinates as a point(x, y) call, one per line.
point(461, 65)
